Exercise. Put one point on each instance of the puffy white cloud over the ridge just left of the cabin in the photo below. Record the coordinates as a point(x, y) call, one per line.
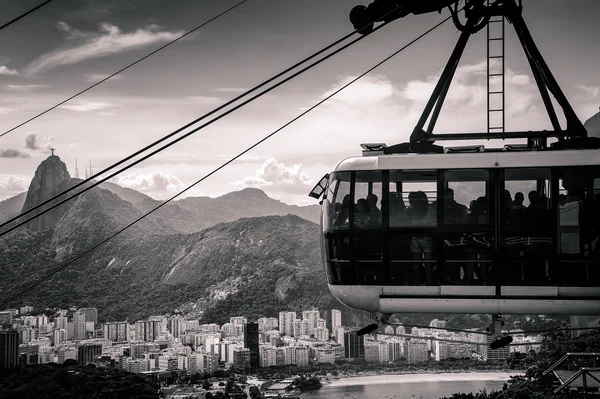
point(276, 175)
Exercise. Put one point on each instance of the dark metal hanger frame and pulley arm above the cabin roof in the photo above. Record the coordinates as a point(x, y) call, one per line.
point(478, 15)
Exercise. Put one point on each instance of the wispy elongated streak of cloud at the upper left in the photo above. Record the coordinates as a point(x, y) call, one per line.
point(110, 40)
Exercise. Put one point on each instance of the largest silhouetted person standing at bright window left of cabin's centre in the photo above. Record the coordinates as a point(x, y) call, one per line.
point(421, 214)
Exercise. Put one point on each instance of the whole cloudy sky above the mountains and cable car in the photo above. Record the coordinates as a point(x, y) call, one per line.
point(69, 44)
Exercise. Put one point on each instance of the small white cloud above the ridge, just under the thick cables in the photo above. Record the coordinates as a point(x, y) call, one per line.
point(157, 183)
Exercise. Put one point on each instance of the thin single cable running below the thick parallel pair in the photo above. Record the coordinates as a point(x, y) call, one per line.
point(62, 267)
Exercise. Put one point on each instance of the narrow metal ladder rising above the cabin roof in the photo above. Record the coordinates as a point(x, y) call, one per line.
point(495, 77)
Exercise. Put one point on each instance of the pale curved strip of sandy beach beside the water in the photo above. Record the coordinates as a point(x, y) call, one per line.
point(417, 377)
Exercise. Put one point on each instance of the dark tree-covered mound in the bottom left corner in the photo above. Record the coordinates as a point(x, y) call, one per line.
point(52, 381)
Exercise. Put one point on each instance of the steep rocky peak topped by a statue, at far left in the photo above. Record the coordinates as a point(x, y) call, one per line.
point(51, 177)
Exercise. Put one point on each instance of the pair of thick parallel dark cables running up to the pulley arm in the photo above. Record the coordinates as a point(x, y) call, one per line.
point(81, 183)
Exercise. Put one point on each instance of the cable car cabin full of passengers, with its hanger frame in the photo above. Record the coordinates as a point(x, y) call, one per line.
point(417, 227)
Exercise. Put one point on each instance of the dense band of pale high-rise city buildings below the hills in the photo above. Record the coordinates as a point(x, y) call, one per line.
point(79, 337)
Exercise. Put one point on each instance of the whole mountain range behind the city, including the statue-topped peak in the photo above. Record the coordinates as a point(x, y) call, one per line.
point(243, 252)
